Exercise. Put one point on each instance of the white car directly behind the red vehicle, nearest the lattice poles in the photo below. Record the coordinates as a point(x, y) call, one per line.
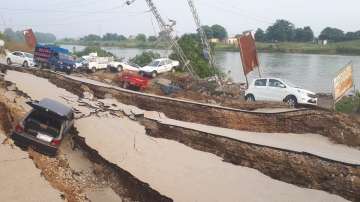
point(159, 66)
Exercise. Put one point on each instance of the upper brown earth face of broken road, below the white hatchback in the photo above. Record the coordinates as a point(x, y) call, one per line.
point(338, 127)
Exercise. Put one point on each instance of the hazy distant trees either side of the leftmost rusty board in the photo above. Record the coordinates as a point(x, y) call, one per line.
point(18, 36)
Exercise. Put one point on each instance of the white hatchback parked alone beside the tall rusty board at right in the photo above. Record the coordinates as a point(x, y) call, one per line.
point(274, 89)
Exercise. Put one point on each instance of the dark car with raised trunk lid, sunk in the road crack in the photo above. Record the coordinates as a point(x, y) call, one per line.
point(45, 126)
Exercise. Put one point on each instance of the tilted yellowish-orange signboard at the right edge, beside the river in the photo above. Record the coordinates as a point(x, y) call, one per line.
point(343, 82)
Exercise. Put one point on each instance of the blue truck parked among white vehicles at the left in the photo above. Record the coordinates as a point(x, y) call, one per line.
point(54, 57)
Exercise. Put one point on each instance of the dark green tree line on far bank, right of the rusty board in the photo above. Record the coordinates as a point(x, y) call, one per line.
point(285, 31)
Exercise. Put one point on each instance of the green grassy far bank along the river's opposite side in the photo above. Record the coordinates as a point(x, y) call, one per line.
point(339, 48)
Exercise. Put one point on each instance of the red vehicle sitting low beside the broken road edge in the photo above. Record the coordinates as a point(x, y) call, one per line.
point(128, 79)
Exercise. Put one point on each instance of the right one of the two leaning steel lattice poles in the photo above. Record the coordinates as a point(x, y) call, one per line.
point(204, 38)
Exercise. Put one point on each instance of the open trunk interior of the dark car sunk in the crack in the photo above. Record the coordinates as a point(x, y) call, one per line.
point(43, 122)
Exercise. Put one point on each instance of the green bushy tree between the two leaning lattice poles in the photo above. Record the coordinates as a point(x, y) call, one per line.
point(193, 49)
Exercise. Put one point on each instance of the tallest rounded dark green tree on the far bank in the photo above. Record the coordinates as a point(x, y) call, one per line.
point(282, 30)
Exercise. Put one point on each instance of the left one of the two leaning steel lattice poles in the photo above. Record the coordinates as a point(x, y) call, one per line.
point(168, 30)
